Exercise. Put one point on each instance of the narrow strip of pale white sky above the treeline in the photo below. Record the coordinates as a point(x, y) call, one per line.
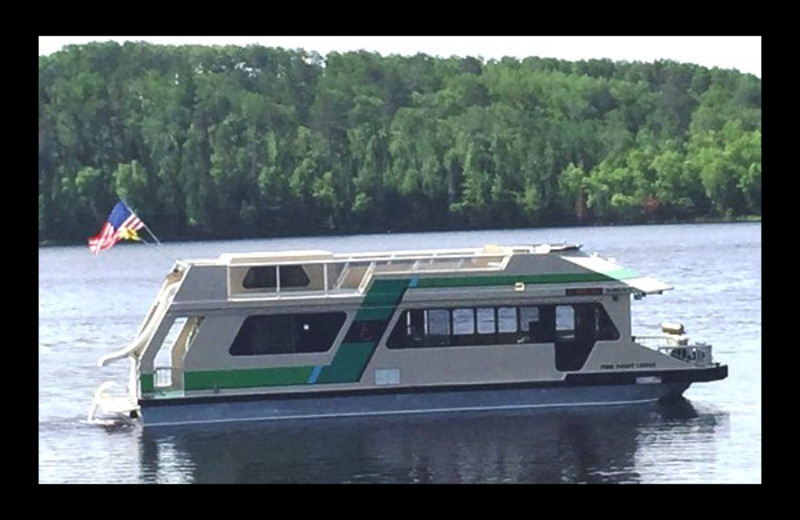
point(728, 52)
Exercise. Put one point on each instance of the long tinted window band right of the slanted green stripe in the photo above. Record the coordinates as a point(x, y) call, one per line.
point(526, 324)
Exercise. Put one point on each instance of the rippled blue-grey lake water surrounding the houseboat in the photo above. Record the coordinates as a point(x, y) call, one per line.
point(90, 306)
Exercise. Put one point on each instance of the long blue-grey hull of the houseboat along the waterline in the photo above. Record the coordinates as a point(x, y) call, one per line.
point(159, 413)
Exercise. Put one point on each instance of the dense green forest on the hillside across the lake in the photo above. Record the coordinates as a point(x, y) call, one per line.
point(208, 142)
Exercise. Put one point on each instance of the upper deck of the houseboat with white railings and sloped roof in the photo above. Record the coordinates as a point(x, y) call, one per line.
point(315, 274)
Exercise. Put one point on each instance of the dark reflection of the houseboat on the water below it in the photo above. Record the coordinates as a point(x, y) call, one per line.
point(625, 444)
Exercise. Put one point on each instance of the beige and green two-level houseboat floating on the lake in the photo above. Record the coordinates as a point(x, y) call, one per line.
point(315, 334)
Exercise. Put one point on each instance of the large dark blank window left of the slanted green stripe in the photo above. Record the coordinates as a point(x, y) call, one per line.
point(287, 334)
